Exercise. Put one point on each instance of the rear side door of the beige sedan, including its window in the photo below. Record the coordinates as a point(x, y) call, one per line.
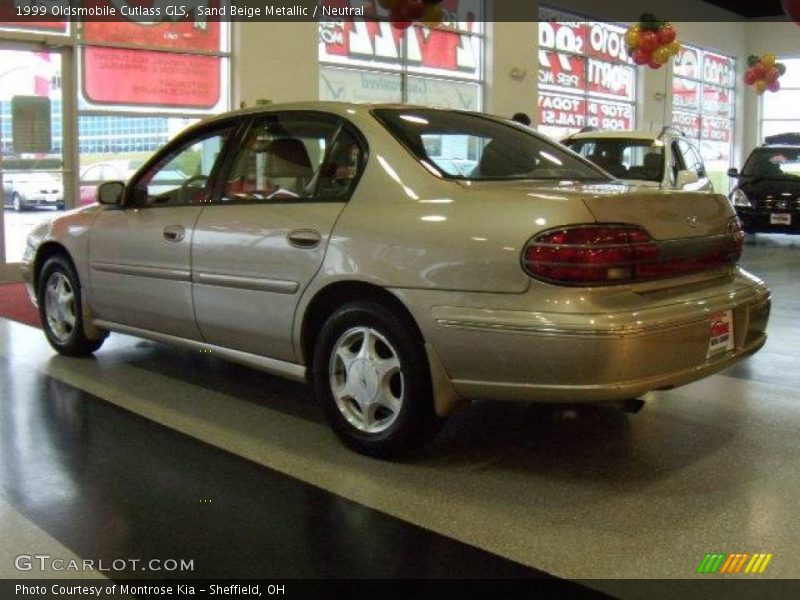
point(261, 241)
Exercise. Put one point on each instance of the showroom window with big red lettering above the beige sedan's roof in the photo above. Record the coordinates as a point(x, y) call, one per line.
point(370, 61)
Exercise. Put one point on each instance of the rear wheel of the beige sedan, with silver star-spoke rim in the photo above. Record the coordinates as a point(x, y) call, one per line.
point(371, 375)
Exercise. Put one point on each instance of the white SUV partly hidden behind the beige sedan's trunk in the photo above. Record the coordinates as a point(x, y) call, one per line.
point(667, 159)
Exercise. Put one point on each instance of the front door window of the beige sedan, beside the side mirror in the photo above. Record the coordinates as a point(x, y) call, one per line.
point(184, 175)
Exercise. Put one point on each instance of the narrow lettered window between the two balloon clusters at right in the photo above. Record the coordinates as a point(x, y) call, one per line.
point(703, 100)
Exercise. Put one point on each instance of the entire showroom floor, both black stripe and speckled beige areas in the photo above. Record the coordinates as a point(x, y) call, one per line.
point(119, 456)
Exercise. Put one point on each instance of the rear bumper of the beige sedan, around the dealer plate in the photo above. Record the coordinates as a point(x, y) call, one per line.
point(502, 354)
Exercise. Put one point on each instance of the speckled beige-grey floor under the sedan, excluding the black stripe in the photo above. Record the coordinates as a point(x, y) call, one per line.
point(586, 492)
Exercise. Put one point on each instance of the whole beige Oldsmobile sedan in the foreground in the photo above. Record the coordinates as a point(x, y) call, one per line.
point(404, 260)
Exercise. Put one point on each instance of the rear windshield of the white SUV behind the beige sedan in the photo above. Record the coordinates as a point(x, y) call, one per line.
point(624, 158)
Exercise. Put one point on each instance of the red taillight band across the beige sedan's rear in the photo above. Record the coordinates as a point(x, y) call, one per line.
point(612, 254)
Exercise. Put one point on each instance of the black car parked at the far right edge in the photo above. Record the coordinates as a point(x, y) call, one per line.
point(767, 196)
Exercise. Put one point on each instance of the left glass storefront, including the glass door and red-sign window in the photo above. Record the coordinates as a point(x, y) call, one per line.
point(137, 86)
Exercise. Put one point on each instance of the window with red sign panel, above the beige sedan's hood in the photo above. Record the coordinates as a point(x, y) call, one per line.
point(133, 97)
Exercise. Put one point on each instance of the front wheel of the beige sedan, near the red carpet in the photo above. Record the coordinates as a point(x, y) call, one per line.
point(61, 309)
